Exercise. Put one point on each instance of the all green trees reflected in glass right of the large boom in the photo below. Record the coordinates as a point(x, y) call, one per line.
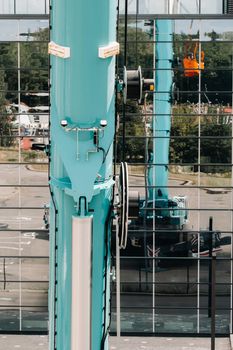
point(214, 77)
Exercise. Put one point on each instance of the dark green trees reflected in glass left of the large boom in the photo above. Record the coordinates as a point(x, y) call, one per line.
point(34, 76)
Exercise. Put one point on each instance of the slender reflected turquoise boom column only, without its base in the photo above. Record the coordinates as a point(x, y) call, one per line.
point(162, 107)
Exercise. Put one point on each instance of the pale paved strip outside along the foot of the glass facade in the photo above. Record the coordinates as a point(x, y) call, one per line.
point(9, 342)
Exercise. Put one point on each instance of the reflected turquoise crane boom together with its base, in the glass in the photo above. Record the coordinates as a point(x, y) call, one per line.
point(170, 211)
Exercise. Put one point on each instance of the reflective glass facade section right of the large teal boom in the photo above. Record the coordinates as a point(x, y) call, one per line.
point(165, 271)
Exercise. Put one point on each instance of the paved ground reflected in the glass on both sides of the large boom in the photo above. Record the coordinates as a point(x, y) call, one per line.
point(33, 243)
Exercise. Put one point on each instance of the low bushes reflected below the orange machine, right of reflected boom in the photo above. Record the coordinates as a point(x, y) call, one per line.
point(215, 142)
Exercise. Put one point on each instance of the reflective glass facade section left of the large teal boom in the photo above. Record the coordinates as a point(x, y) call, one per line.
point(24, 197)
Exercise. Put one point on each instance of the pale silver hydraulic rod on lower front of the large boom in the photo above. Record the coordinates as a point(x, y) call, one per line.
point(82, 230)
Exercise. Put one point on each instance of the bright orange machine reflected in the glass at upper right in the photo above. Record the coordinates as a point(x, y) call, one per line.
point(191, 64)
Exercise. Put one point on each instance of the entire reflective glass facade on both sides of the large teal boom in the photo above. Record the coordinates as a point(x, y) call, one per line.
point(165, 273)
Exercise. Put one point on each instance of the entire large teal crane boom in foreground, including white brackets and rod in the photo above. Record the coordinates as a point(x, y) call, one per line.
point(82, 49)
